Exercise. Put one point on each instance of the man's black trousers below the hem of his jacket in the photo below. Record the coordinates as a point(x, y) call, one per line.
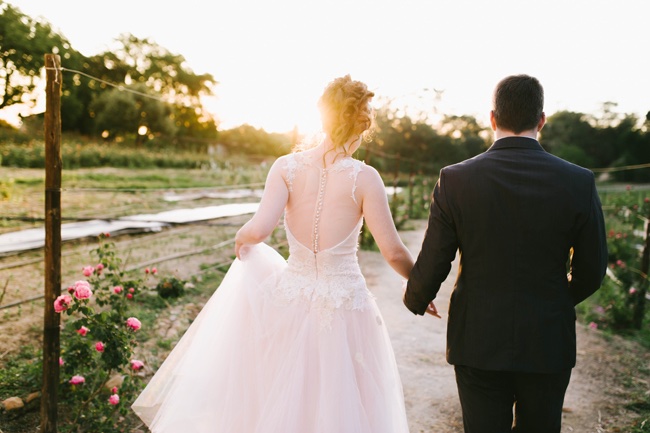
point(487, 399)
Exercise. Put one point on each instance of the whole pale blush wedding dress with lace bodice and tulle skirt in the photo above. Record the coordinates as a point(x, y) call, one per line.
point(295, 346)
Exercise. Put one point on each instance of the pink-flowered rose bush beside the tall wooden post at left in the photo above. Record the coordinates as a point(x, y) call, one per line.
point(99, 377)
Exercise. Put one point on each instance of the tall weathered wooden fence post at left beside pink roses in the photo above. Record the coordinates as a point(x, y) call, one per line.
point(52, 320)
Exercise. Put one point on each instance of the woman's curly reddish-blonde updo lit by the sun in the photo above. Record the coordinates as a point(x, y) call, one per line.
point(345, 112)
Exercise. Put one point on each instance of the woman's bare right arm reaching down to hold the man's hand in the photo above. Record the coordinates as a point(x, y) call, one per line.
point(380, 222)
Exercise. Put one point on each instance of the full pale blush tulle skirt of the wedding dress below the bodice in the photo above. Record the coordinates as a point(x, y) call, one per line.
point(247, 365)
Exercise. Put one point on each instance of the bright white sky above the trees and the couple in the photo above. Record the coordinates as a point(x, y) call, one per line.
point(273, 58)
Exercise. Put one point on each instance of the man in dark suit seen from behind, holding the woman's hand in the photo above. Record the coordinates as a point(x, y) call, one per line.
point(529, 230)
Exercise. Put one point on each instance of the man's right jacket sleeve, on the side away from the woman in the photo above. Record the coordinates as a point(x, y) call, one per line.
point(589, 260)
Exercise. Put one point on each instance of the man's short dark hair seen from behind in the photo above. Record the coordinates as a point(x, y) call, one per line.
point(518, 103)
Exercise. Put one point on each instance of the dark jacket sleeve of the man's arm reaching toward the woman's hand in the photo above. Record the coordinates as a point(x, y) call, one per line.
point(436, 255)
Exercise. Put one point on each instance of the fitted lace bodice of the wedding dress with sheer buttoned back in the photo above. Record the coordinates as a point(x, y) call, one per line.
point(322, 222)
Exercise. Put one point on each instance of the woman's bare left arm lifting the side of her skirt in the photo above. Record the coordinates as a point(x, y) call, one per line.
point(272, 204)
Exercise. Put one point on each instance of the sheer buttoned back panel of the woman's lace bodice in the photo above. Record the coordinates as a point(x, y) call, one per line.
point(322, 210)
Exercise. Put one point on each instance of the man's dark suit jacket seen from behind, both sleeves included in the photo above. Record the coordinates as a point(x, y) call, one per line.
point(529, 231)
